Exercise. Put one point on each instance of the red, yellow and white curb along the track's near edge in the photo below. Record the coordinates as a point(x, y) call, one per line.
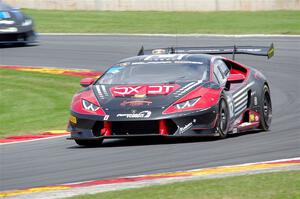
point(96, 186)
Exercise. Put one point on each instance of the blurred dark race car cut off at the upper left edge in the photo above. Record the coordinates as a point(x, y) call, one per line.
point(15, 26)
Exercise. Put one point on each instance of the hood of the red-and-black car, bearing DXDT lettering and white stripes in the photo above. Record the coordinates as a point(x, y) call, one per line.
point(140, 100)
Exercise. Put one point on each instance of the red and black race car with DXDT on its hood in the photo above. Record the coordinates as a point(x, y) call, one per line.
point(182, 91)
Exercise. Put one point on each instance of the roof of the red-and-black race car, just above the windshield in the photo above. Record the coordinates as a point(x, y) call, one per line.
point(167, 57)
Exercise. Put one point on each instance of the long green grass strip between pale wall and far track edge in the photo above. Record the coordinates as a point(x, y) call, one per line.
point(271, 22)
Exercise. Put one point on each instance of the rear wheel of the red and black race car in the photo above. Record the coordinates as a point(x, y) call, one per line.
point(265, 109)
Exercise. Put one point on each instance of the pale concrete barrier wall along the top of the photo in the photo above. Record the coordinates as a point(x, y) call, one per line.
point(158, 5)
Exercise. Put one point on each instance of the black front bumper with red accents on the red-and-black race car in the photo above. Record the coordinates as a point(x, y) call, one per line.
point(196, 123)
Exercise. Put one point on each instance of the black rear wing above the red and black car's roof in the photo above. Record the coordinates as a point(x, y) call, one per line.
point(248, 50)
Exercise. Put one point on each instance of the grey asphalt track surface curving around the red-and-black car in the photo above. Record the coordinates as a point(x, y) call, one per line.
point(54, 161)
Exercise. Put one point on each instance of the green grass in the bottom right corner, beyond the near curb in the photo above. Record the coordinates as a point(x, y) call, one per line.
point(281, 185)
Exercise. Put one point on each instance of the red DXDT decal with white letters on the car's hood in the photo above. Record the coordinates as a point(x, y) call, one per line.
point(118, 91)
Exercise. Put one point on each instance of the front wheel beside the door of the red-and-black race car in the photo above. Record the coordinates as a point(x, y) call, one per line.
point(223, 120)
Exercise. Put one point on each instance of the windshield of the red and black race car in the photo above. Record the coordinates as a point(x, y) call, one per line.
point(156, 72)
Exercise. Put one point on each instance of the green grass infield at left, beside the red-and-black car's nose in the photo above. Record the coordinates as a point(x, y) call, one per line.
point(33, 102)
